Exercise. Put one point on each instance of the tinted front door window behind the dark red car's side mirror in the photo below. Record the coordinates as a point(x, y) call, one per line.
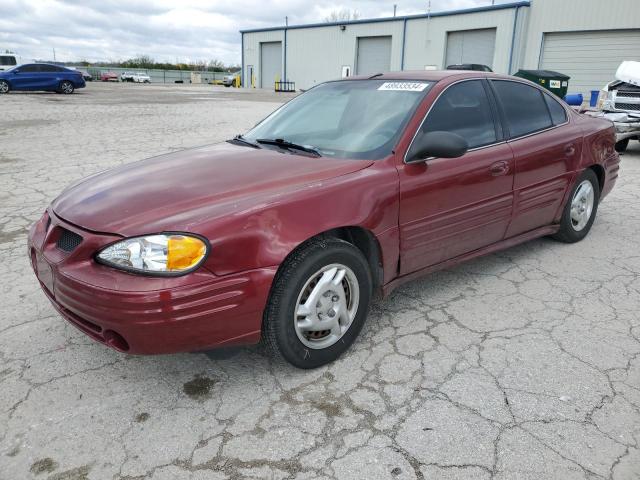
point(464, 109)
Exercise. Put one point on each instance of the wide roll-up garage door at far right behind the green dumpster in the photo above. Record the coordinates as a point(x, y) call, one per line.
point(589, 58)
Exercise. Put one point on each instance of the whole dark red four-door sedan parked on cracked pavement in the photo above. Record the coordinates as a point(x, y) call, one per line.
point(286, 232)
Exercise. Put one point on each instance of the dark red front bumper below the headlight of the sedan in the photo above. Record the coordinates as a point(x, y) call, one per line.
point(145, 315)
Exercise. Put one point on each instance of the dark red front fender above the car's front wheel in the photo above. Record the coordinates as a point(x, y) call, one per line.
point(263, 235)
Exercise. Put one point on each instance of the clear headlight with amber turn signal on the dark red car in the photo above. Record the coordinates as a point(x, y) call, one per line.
point(170, 253)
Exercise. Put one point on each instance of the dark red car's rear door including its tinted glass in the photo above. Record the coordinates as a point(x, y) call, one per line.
point(546, 147)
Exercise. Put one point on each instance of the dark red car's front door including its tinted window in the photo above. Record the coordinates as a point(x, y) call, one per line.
point(452, 206)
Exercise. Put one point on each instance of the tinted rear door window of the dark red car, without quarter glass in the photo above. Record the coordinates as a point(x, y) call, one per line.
point(524, 107)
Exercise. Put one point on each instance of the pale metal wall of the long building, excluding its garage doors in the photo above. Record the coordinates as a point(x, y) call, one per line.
point(318, 53)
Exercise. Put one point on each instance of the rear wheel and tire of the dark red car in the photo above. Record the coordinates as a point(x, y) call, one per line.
point(578, 215)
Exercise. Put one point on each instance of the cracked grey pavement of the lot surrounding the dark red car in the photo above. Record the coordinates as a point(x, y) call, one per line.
point(521, 365)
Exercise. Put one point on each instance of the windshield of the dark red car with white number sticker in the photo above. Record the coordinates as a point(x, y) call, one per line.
point(346, 119)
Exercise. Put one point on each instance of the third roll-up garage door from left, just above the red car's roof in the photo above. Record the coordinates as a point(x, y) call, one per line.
point(471, 46)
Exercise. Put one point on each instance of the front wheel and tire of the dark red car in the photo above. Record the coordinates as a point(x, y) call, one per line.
point(284, 328)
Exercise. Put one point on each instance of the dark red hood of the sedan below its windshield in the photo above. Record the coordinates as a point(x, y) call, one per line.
point(178, 190)
